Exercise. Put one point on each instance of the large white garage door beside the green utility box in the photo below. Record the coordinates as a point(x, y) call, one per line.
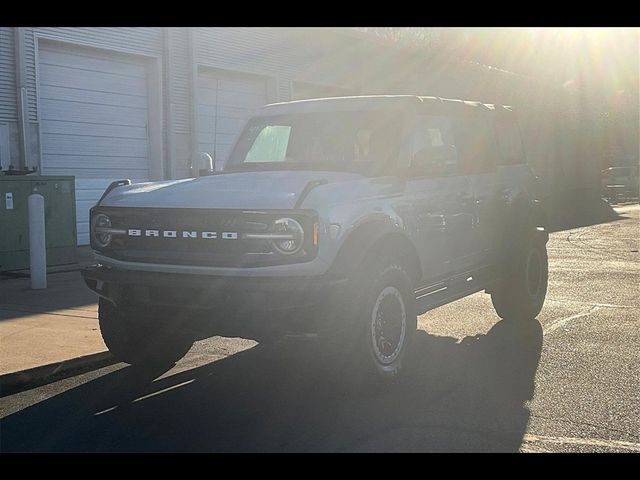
point(93, 122)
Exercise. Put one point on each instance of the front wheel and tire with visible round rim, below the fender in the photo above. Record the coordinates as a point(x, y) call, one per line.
point(381, 300)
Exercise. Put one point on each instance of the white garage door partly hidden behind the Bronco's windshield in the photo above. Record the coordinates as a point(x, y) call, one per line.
point(225, 102)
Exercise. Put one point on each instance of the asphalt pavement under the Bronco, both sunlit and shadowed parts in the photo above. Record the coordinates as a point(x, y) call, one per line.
point(568, 381)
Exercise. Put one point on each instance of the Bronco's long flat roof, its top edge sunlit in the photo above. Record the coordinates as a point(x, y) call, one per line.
point(371, 102)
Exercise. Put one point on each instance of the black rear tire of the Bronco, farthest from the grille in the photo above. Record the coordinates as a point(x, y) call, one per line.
point(522, 289)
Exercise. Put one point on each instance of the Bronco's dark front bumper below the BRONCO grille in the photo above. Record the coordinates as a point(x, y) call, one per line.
point(130, 288)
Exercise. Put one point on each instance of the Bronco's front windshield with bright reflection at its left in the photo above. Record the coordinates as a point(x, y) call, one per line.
point(364, 141)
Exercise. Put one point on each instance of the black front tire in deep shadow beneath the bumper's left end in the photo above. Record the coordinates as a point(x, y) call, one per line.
point(141, 343)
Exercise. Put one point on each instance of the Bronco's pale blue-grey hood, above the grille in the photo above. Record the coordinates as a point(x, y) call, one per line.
point(239, 190)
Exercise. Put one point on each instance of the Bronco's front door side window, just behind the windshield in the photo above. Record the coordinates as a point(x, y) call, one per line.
point(434, 152)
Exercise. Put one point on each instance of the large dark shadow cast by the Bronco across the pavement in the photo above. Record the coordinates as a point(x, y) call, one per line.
point(455, 396)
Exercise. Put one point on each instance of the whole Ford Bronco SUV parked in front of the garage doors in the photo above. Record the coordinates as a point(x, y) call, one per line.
point(344, 217)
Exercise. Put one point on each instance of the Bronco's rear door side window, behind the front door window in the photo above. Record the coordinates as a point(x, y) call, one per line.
point(477, 146)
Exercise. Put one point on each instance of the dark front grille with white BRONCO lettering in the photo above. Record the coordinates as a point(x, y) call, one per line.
point(219, 251)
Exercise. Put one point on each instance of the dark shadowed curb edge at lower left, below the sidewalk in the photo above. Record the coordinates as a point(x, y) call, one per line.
point(15, 382)
